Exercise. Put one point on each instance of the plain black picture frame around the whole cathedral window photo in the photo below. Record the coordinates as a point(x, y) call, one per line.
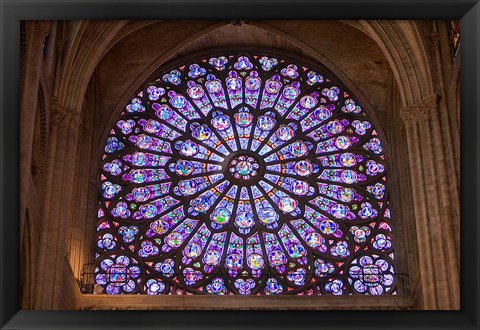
point(12, 12)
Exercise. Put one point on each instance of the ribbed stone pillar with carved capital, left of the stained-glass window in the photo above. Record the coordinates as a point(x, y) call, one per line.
point(61, 171)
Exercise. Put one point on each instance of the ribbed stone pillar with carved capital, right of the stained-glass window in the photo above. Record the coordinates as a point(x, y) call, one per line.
point(433, 209)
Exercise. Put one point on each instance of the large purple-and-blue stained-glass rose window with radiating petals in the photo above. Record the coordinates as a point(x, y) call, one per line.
point(244, 174)
